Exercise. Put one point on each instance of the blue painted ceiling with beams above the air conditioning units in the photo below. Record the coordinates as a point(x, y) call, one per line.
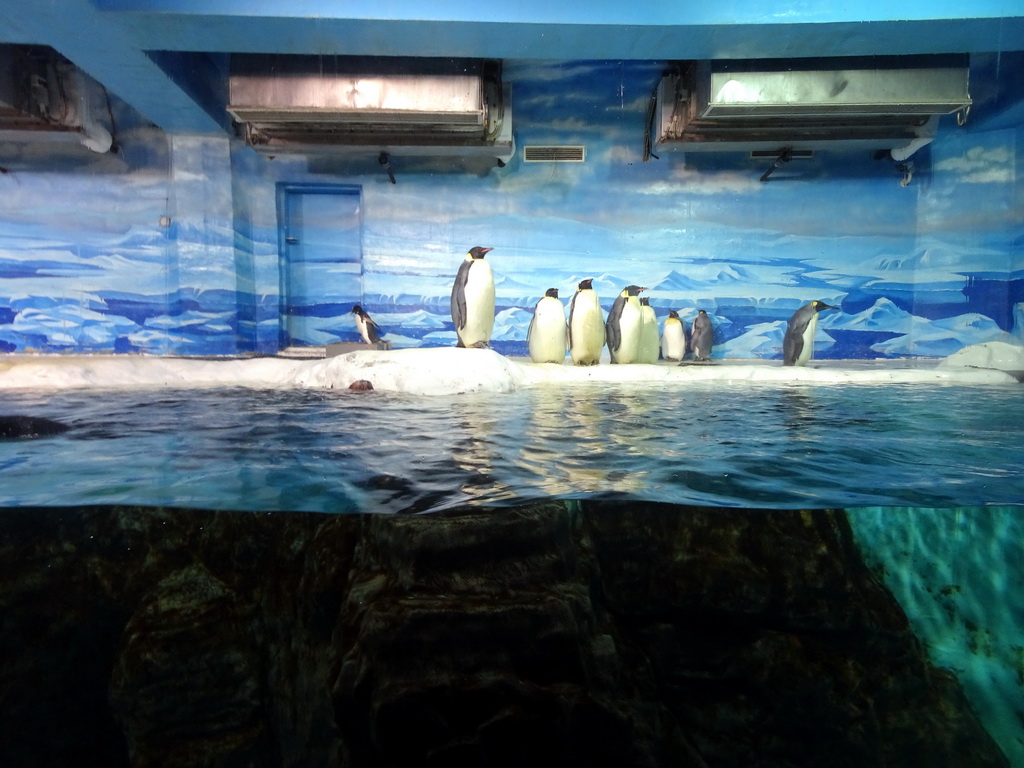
point(168, 59)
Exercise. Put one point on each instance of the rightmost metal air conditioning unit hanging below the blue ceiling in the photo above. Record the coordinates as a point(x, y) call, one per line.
point(881, 103)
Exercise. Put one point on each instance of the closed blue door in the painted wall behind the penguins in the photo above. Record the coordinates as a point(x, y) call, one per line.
point(321, 263)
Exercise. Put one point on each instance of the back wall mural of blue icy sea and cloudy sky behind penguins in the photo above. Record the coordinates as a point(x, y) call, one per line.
point(173, 245)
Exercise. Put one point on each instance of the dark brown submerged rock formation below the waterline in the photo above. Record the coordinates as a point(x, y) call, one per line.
point(562, 634)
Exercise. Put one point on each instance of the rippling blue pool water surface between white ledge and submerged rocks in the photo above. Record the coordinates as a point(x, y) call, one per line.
point(338, 452)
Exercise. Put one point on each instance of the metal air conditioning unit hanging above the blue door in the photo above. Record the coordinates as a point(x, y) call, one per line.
point(342, 105)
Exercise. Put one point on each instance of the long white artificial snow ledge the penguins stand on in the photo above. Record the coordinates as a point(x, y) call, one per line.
point(452, 371)
